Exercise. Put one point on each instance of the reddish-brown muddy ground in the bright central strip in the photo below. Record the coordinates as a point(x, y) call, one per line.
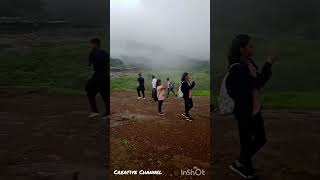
point(141, 139)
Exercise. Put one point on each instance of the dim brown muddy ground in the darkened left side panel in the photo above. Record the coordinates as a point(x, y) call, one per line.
point(49, 137)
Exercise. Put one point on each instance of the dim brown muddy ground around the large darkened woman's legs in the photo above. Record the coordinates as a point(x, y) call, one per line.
point(291, 153)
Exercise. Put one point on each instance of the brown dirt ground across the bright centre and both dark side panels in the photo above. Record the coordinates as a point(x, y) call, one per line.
point(50, 137)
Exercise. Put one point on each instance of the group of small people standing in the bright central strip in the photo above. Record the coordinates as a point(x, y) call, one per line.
point(161, 91)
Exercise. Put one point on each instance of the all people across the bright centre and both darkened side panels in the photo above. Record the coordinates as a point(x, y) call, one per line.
point(243, 85)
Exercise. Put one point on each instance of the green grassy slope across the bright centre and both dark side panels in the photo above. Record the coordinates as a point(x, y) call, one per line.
point(62, 67)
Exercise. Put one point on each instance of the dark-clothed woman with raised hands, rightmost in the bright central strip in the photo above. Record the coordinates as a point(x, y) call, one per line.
point(186, 89)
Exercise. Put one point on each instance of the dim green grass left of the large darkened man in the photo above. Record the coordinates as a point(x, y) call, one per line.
point(54, 66)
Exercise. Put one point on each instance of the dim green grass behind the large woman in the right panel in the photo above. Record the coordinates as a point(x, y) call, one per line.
point(295, 83)
